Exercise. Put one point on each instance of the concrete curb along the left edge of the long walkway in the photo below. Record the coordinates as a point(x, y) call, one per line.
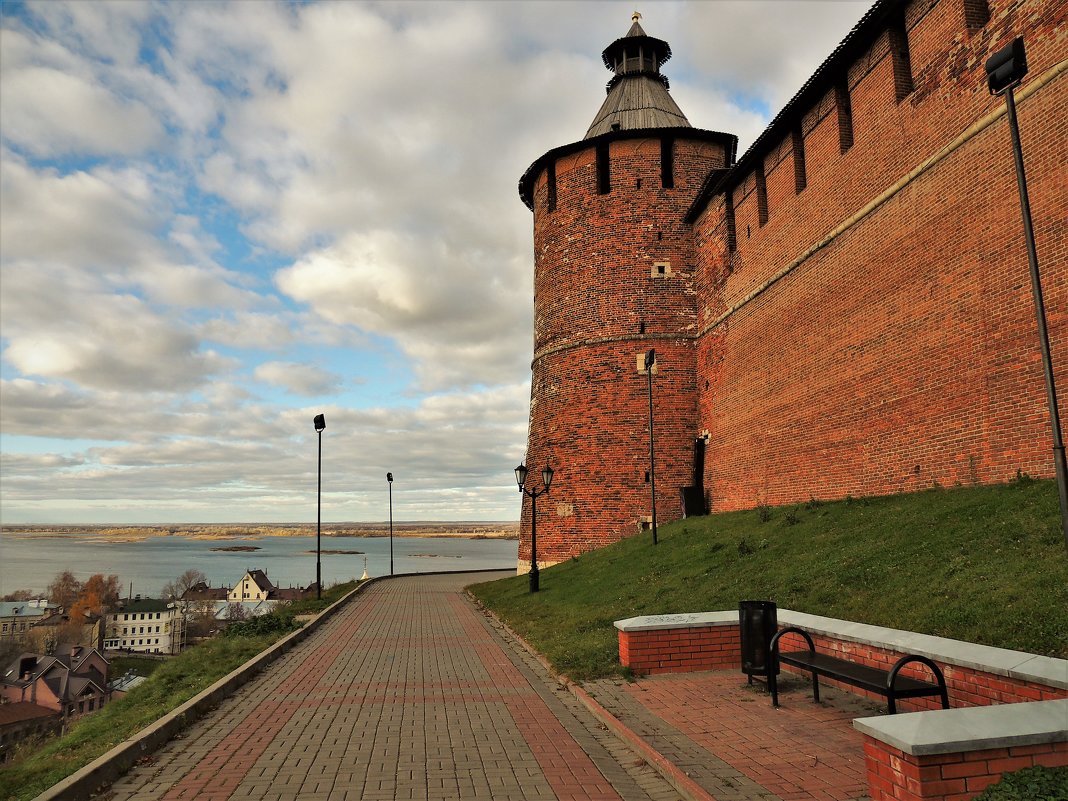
point(108, 767)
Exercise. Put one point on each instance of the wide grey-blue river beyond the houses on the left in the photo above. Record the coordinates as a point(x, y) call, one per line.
point(30, 563)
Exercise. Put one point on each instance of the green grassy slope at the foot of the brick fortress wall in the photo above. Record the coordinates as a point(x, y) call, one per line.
point(982, 564)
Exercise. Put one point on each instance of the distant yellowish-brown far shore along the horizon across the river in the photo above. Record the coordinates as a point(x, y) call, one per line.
point(467, 530)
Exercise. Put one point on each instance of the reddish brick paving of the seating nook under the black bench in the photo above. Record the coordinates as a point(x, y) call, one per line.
point(726, 735)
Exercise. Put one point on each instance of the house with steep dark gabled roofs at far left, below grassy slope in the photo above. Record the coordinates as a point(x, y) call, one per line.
point(72, 682)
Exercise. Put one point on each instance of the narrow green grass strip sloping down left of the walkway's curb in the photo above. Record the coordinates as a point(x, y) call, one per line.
point(171, 684)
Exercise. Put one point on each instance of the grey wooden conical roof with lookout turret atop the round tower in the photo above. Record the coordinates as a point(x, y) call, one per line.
point(638, 95)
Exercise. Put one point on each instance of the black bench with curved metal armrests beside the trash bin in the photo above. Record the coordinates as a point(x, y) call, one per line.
point(888, 684)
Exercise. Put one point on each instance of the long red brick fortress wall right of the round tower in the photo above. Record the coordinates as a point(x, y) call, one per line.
point(903, 352)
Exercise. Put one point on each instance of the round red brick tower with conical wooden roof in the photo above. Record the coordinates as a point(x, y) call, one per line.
point(615, 277)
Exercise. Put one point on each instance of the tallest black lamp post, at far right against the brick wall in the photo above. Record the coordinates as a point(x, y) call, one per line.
point(1006, 71)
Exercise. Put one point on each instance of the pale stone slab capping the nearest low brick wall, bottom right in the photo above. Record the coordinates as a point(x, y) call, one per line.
point(971, 729)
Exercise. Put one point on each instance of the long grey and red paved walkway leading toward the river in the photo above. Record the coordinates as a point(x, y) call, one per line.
point(409, 693)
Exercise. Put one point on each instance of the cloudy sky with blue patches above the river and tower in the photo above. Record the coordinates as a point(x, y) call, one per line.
point(221, 219)
